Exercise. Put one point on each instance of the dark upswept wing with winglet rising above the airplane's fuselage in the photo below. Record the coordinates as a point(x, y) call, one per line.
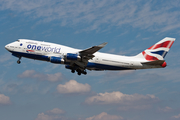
point(88, 53)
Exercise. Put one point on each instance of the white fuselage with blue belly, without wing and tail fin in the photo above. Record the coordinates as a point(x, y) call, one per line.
point(101, 61)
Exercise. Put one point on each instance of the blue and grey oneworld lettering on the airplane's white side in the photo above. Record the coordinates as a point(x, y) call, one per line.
point(46, 49)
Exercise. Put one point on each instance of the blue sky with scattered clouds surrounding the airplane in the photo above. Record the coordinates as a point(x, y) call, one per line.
point(37, 90)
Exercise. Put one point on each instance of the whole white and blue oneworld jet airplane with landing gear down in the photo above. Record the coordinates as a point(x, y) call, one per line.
point(90, 59)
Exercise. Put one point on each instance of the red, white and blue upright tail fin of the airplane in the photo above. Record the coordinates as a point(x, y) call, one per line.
point(158, 51)
